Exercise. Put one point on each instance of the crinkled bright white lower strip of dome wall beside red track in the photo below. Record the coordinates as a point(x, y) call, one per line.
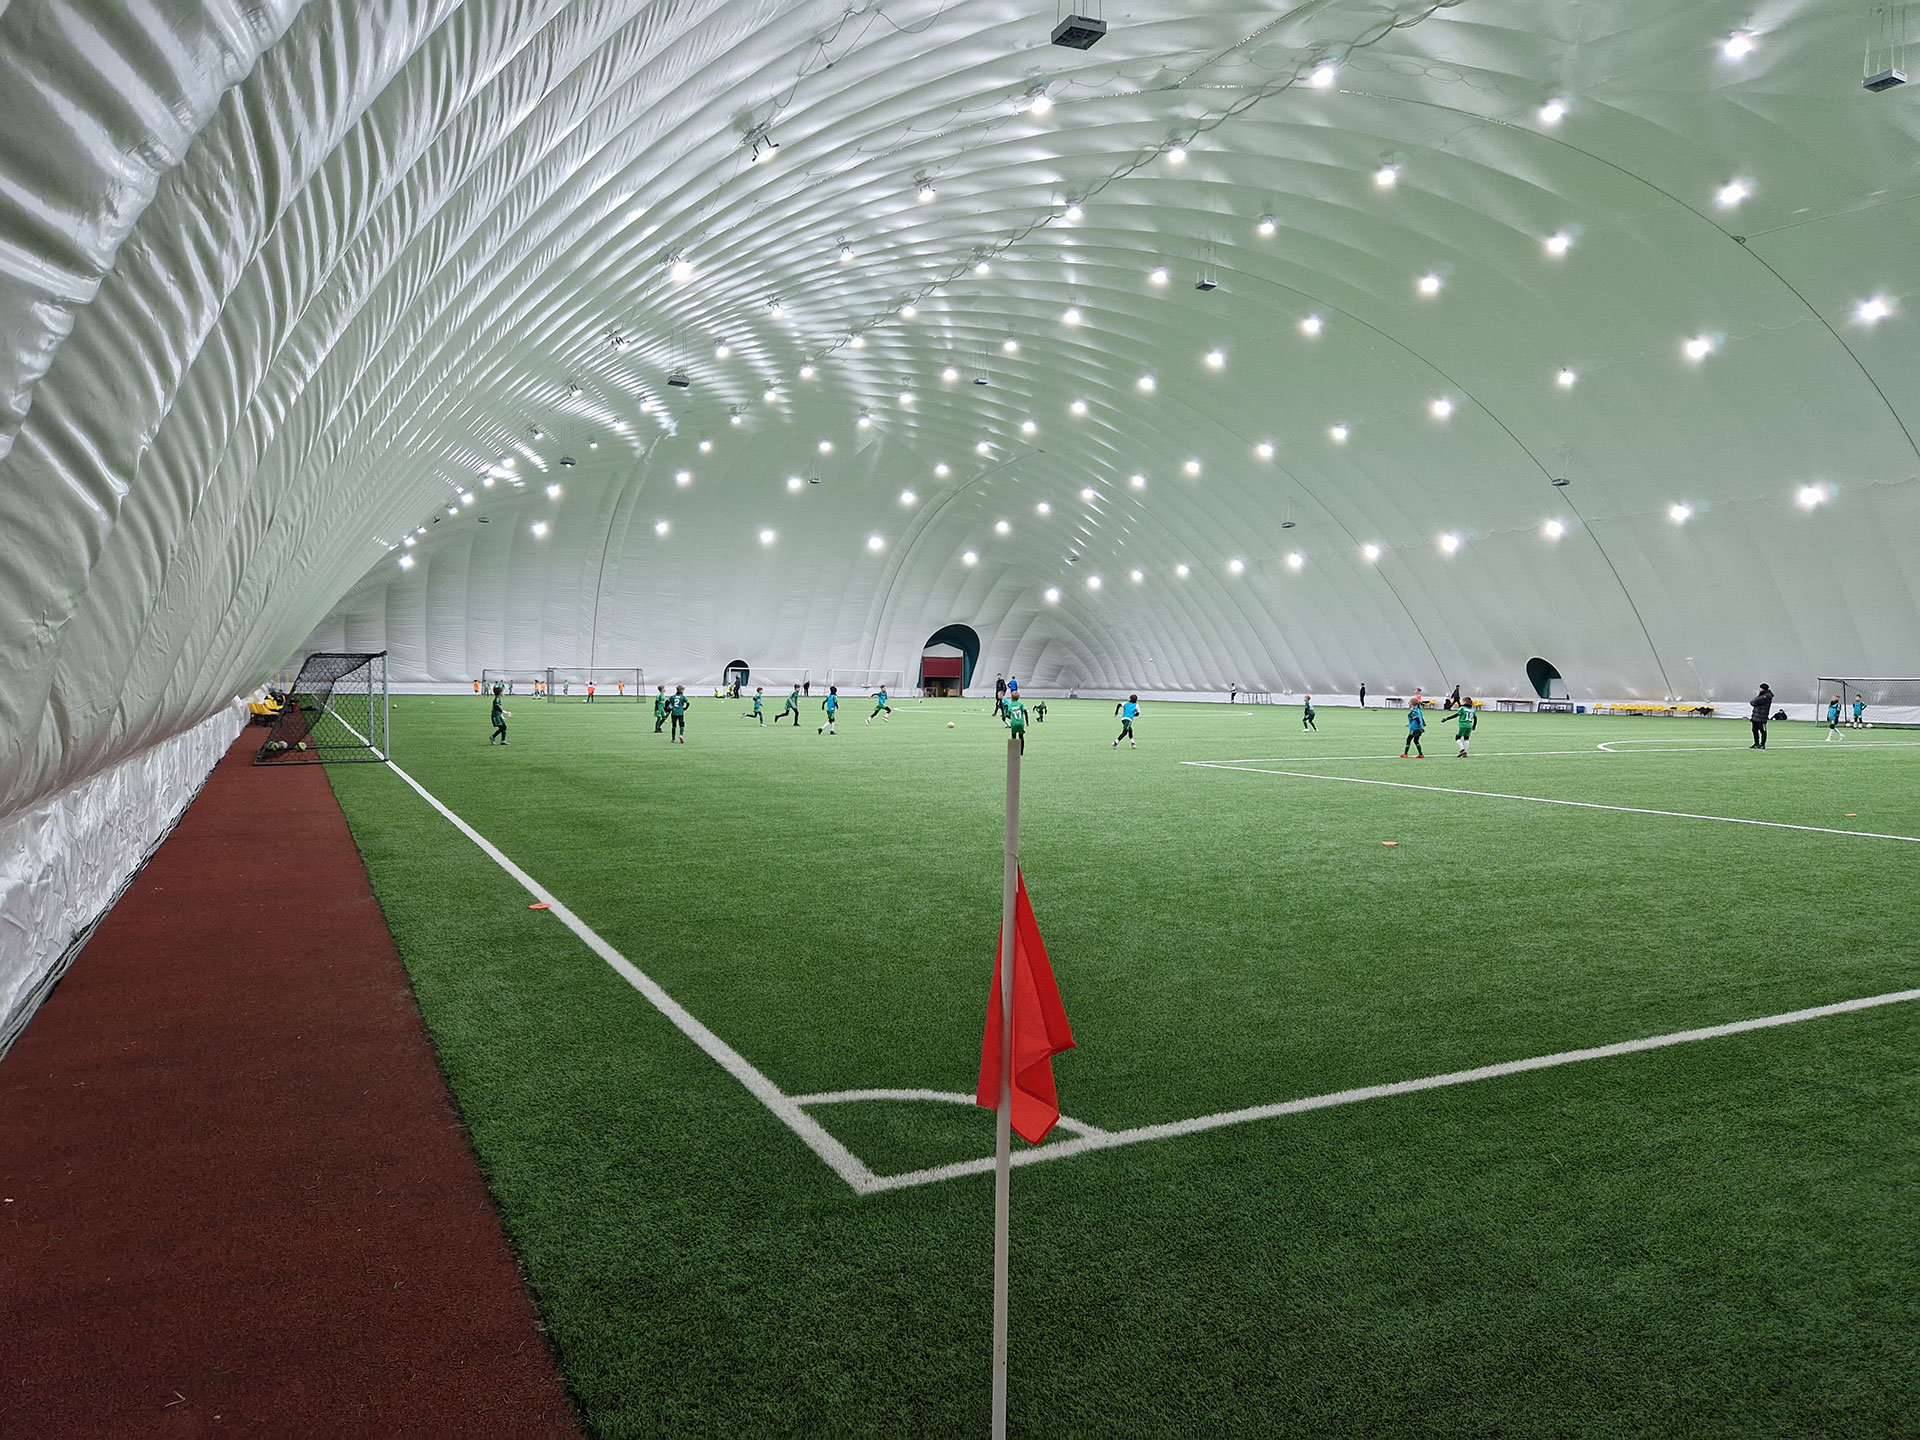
point(66, 859)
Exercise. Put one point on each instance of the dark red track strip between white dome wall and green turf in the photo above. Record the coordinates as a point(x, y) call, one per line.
point(235, 1197)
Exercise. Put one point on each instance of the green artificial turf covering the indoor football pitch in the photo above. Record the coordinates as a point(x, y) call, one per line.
point(1706, 1241)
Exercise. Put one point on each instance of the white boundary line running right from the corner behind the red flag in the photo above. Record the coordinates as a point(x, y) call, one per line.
point(1172, 1130)
